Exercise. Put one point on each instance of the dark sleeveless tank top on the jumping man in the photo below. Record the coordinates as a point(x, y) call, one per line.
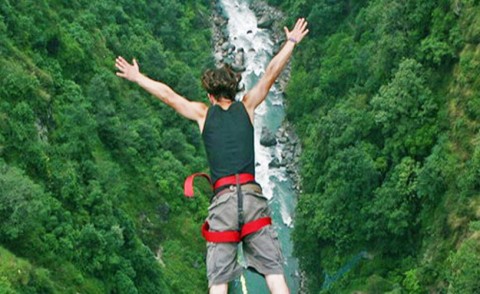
point(228, 138)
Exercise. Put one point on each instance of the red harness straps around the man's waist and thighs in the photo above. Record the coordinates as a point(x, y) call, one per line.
point(227, 236)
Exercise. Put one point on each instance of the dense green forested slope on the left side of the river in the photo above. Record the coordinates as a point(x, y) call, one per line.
point(91, 167)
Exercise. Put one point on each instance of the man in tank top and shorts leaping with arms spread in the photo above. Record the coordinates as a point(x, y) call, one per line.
point(238, 211)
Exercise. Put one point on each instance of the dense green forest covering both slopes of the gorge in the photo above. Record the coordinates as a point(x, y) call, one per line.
point(384, 95)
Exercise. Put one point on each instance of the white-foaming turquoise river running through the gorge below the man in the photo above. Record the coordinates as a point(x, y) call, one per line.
point(258, 46)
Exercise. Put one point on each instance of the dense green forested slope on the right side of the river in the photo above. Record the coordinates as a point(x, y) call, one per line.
point(385, 95)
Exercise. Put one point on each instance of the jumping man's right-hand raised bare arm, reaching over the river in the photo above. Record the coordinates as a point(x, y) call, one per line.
point(260, 91)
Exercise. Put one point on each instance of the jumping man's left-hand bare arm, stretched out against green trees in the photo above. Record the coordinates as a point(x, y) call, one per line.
point(192, 110)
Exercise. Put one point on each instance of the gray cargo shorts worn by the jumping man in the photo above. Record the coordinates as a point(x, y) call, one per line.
point(261, 249)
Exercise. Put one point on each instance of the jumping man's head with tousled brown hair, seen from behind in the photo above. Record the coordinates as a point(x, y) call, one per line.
point(221, 82)
